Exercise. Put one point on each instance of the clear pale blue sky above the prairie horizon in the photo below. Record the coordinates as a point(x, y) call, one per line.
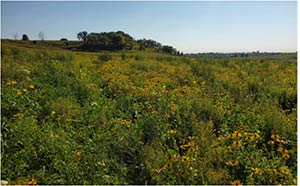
point(191, 27)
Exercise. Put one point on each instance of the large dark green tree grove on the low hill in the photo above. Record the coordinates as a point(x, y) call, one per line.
point(120, 40)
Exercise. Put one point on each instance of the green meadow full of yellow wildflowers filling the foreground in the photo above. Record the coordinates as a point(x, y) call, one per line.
point(142, 117)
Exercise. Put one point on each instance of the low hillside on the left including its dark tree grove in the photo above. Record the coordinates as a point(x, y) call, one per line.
point(104, 41)
